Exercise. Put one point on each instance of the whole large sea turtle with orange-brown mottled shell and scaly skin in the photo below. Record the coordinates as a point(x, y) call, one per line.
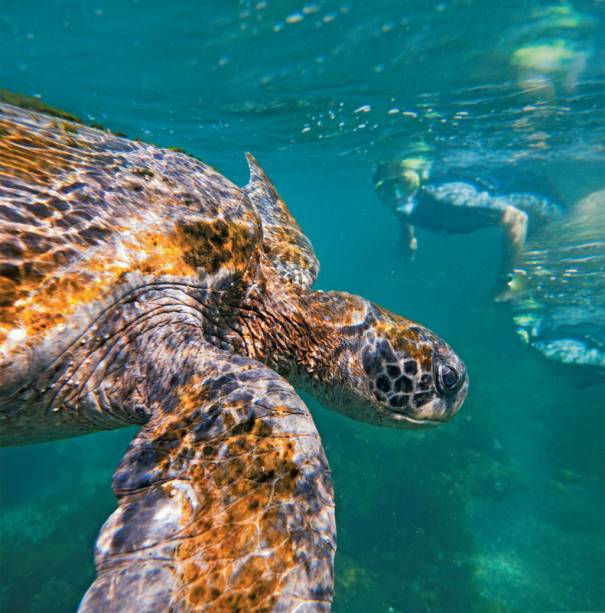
point(140, 286)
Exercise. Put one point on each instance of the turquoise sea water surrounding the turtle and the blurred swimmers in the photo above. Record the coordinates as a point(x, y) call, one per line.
point(501, 510)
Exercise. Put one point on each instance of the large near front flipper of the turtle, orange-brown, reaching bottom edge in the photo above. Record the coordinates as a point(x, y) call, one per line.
point(225, 502)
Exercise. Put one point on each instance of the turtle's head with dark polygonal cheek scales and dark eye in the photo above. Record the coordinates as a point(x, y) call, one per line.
point(386, 369)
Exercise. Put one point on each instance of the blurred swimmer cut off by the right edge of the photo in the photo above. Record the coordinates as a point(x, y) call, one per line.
point(557, 290)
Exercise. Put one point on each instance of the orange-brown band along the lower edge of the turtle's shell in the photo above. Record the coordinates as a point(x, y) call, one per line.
point(36, 307)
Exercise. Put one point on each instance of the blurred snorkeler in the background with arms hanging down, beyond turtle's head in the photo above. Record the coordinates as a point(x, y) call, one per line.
point(458, 202)
